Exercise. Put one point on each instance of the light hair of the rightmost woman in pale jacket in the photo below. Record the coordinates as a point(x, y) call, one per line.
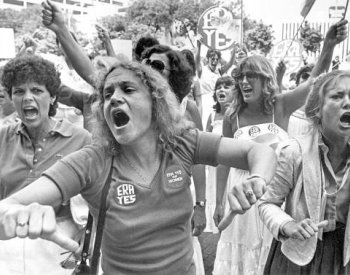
point(315, 99)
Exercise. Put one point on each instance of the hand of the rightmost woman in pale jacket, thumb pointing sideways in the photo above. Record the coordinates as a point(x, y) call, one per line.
point(302, 230)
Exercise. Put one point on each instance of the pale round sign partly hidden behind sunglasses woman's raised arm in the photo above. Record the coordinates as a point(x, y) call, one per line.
point(293, 57)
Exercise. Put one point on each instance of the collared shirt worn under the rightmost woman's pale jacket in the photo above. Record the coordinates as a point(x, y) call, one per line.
point(337, 203)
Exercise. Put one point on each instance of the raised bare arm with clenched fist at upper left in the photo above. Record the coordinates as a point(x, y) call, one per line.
point(53, 19)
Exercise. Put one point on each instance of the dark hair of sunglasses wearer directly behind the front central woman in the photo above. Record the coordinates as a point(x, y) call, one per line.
point(180, 77)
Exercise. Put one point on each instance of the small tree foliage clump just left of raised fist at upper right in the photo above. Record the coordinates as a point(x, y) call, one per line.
point(310, 38)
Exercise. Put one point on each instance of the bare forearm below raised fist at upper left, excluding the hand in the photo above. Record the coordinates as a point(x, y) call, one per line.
point(80, 61)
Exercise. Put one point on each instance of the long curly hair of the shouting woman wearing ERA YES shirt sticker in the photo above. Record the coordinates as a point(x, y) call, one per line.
point(166, 116)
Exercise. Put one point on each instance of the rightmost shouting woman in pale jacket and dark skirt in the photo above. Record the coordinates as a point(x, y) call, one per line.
point(312, 179)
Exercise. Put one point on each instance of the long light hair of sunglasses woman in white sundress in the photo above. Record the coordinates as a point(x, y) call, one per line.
point(260, 65)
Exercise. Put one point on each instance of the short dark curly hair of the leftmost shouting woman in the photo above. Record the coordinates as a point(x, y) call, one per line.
point(25, 68)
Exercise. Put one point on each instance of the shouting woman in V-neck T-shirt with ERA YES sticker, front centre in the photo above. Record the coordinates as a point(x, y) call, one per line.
point(149, 148)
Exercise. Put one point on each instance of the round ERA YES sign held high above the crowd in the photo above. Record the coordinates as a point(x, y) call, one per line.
point(219, 29)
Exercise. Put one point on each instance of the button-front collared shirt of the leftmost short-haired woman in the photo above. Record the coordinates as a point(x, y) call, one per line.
point(22, 162)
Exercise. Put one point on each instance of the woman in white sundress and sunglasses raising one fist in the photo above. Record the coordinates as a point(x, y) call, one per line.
point(259, 114)
